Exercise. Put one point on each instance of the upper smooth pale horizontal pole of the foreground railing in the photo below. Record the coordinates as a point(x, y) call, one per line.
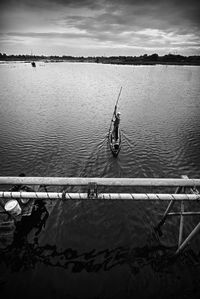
point(79, 181)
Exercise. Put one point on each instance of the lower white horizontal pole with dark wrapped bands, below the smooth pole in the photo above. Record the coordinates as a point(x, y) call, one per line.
point(106, 196)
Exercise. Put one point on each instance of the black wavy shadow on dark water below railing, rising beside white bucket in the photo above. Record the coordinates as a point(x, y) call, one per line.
point(23, 254)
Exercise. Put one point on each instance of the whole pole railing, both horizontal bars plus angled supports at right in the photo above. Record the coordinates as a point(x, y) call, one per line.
point(184, 184)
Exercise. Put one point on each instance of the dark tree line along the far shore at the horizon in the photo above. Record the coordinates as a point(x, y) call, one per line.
point(131, 60)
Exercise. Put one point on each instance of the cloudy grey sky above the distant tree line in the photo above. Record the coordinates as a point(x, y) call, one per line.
point(100, 27)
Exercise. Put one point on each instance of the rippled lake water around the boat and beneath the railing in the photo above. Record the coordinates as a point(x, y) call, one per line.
point(54, 121)
